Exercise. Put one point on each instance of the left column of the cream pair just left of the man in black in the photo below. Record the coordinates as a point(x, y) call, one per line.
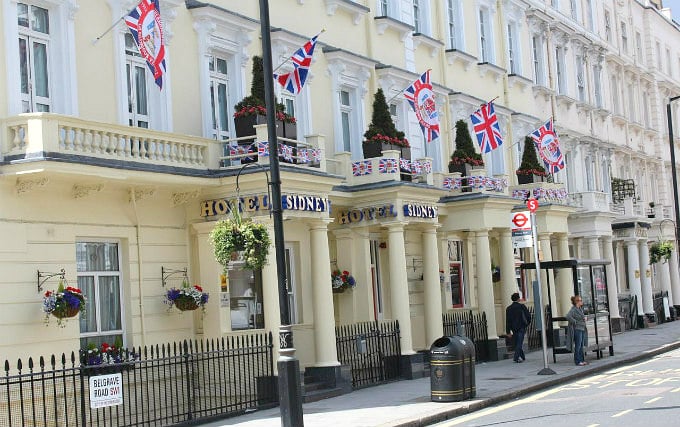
point(484, 282)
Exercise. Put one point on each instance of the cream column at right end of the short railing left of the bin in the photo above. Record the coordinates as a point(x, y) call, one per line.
point(399, 299)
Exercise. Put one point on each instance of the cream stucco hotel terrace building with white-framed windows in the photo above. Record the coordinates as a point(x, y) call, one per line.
point(119, 183)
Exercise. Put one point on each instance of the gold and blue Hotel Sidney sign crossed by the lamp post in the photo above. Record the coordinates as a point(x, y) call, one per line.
point(292, 202)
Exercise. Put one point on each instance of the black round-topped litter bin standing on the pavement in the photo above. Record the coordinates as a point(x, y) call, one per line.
point(452, 369)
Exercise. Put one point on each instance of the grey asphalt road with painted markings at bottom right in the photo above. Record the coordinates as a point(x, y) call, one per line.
point(626, 396)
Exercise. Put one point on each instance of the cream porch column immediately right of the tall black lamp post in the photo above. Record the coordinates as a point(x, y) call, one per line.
point(324, 323)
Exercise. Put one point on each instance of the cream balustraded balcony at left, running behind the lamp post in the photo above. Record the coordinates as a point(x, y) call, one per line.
point(63, 139)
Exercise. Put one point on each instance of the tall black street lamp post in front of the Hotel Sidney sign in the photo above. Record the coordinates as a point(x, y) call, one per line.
point(290, 401)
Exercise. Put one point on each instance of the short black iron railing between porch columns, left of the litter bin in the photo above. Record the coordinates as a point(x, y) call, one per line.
point(372, 350)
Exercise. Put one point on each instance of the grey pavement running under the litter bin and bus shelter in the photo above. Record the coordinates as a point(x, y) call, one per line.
point(407, 403)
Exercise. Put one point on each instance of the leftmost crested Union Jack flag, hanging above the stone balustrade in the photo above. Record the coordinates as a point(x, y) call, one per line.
point(144, 23)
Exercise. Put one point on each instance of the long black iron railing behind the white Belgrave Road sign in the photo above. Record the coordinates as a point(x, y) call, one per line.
point(164, 385)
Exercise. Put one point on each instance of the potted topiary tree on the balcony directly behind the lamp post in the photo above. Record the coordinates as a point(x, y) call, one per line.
point(251, 110)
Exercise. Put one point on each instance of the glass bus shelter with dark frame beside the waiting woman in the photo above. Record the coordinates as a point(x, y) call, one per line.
point(589, 280)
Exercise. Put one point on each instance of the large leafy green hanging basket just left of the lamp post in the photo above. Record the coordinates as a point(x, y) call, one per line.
point(234, 235)
